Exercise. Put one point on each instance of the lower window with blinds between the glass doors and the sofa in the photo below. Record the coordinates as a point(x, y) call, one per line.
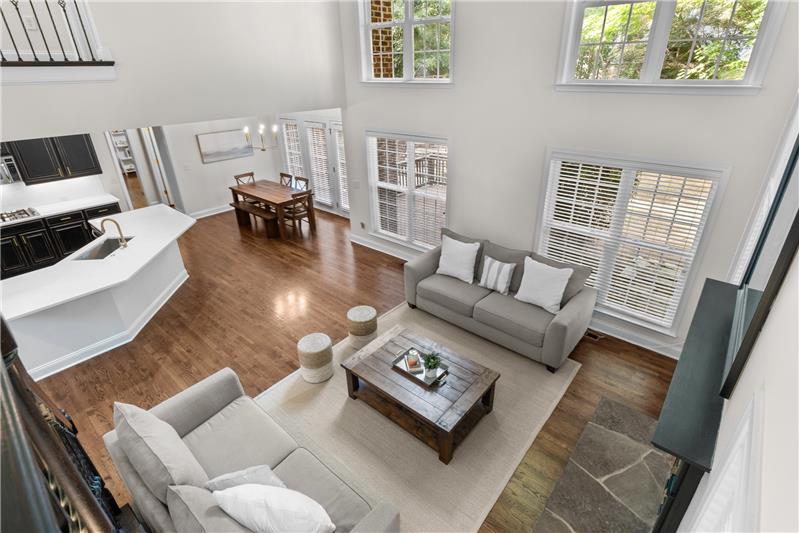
point(408, 181)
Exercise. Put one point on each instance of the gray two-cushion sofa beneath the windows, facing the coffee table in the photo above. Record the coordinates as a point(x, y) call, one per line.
point(524, 328)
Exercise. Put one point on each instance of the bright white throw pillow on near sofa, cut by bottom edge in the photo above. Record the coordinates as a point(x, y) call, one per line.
point(266, 509)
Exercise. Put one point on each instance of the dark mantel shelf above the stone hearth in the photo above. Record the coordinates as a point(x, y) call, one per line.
point(691, 414)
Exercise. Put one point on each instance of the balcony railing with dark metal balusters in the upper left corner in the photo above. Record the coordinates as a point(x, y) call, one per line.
point(49, 33)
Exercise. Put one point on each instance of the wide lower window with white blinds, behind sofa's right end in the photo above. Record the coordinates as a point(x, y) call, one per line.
point(636, 225)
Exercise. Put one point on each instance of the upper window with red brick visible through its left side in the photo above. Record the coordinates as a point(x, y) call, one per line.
point(407, 40)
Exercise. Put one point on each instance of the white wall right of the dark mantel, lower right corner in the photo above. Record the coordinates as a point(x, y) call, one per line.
point(771, 373)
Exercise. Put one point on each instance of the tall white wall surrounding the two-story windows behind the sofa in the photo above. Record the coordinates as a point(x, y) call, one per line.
point(502, 111)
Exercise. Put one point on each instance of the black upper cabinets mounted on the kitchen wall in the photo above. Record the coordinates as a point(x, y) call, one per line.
point(55, 158)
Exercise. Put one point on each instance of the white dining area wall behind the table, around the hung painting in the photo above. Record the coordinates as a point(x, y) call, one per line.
point(204, 187)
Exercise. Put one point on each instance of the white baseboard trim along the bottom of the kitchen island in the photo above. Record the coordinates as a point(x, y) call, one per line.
point(114, 341)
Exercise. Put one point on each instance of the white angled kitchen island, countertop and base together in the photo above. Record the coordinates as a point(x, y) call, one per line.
point(99, 297)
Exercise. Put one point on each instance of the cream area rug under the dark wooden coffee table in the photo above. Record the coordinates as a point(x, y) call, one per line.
point(381, 459)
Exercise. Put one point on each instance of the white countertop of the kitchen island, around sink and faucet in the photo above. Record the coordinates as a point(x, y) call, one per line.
point(153, 229)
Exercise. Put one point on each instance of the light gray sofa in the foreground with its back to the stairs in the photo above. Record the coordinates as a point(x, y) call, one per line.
point(227, 431)
